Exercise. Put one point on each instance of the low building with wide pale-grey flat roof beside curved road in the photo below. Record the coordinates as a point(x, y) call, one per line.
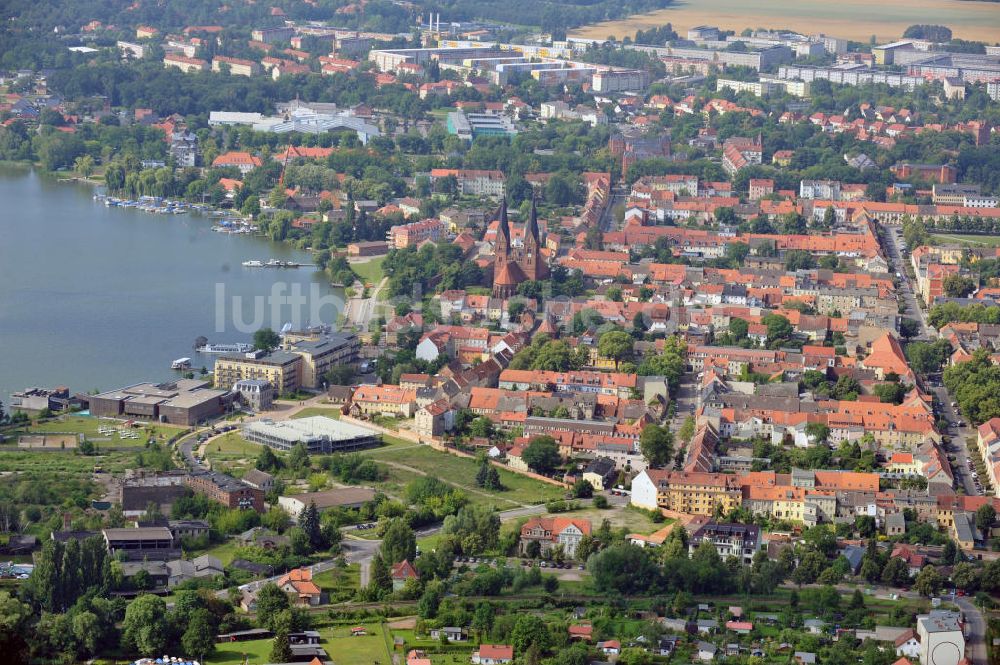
point(319, 434)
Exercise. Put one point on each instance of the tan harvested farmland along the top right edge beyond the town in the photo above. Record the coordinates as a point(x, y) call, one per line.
point(850, 19)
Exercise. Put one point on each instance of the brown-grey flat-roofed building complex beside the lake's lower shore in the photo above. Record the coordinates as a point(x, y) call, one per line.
point(185, 402)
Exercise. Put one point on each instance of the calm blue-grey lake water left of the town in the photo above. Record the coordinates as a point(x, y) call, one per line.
point(96, 297)
